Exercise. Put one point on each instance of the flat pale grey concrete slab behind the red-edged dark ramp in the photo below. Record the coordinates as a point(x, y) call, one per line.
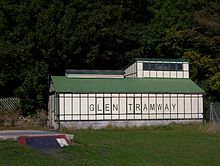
point(14, 134)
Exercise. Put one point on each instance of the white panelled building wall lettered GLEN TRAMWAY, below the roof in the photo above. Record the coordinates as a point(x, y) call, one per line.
point(122, 107)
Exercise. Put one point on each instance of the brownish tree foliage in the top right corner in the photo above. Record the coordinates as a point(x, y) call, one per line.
point(205, 33)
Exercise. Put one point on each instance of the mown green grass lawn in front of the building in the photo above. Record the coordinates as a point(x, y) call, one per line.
point(168, 145)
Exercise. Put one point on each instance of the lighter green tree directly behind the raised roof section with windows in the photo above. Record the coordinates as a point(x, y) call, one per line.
point(165, 35)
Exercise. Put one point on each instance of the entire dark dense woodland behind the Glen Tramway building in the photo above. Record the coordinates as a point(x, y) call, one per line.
point(39, 38)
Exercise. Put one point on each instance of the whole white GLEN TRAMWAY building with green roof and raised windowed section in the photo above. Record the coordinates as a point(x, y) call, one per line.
point(148, 91)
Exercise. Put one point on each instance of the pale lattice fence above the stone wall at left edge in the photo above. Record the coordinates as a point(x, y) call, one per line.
point(9, 103)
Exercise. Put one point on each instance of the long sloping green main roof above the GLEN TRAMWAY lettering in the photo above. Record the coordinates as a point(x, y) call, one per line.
point(124, 85)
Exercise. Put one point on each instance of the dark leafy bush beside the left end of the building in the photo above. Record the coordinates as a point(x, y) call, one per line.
point(33, 90)
